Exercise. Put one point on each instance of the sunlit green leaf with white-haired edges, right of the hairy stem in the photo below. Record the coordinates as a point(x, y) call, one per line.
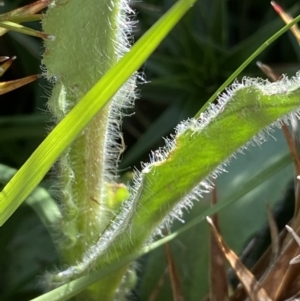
point(198, 149)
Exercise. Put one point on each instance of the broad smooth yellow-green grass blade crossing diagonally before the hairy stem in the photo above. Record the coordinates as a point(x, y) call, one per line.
point(32, 172)
